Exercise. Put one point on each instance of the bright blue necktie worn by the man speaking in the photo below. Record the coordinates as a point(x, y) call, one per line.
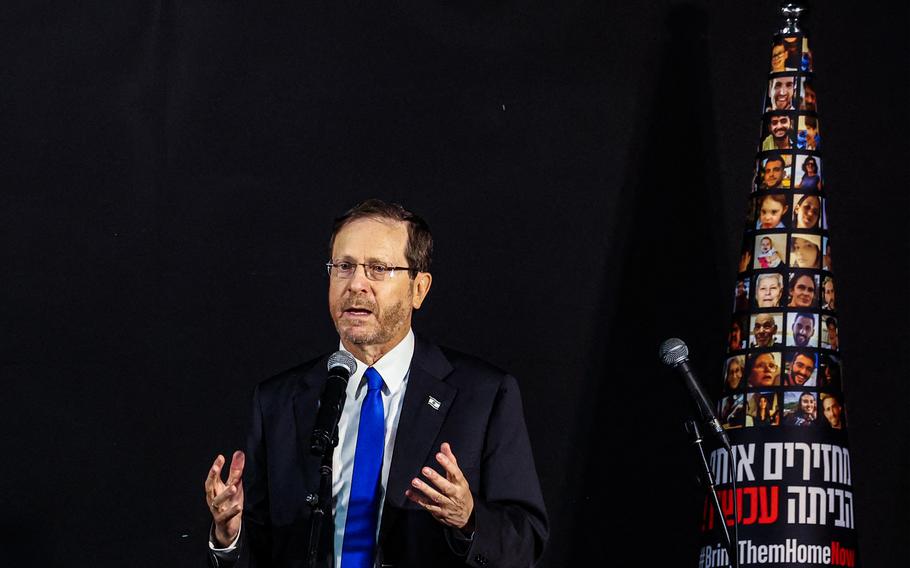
point(359, 546)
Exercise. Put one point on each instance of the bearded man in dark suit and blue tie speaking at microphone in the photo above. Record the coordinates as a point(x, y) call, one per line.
point(408, 501)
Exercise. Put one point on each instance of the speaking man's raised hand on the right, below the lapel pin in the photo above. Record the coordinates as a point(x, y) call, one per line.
point(447, 498)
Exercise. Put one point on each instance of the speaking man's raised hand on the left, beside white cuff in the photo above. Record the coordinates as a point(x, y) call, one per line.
point(225, 500)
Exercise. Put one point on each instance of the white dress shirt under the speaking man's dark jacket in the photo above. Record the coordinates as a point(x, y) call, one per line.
point(394, 368)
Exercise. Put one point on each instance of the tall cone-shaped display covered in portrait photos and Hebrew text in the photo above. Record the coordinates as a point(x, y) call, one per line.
point(782, 399)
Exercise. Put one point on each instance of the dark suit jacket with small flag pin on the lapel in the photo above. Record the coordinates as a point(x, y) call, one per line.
point(480, 416)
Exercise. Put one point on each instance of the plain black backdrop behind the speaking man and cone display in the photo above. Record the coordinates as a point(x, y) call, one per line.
point(170, 173)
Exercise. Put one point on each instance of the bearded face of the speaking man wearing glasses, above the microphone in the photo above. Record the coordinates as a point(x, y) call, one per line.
point(372, 314)
